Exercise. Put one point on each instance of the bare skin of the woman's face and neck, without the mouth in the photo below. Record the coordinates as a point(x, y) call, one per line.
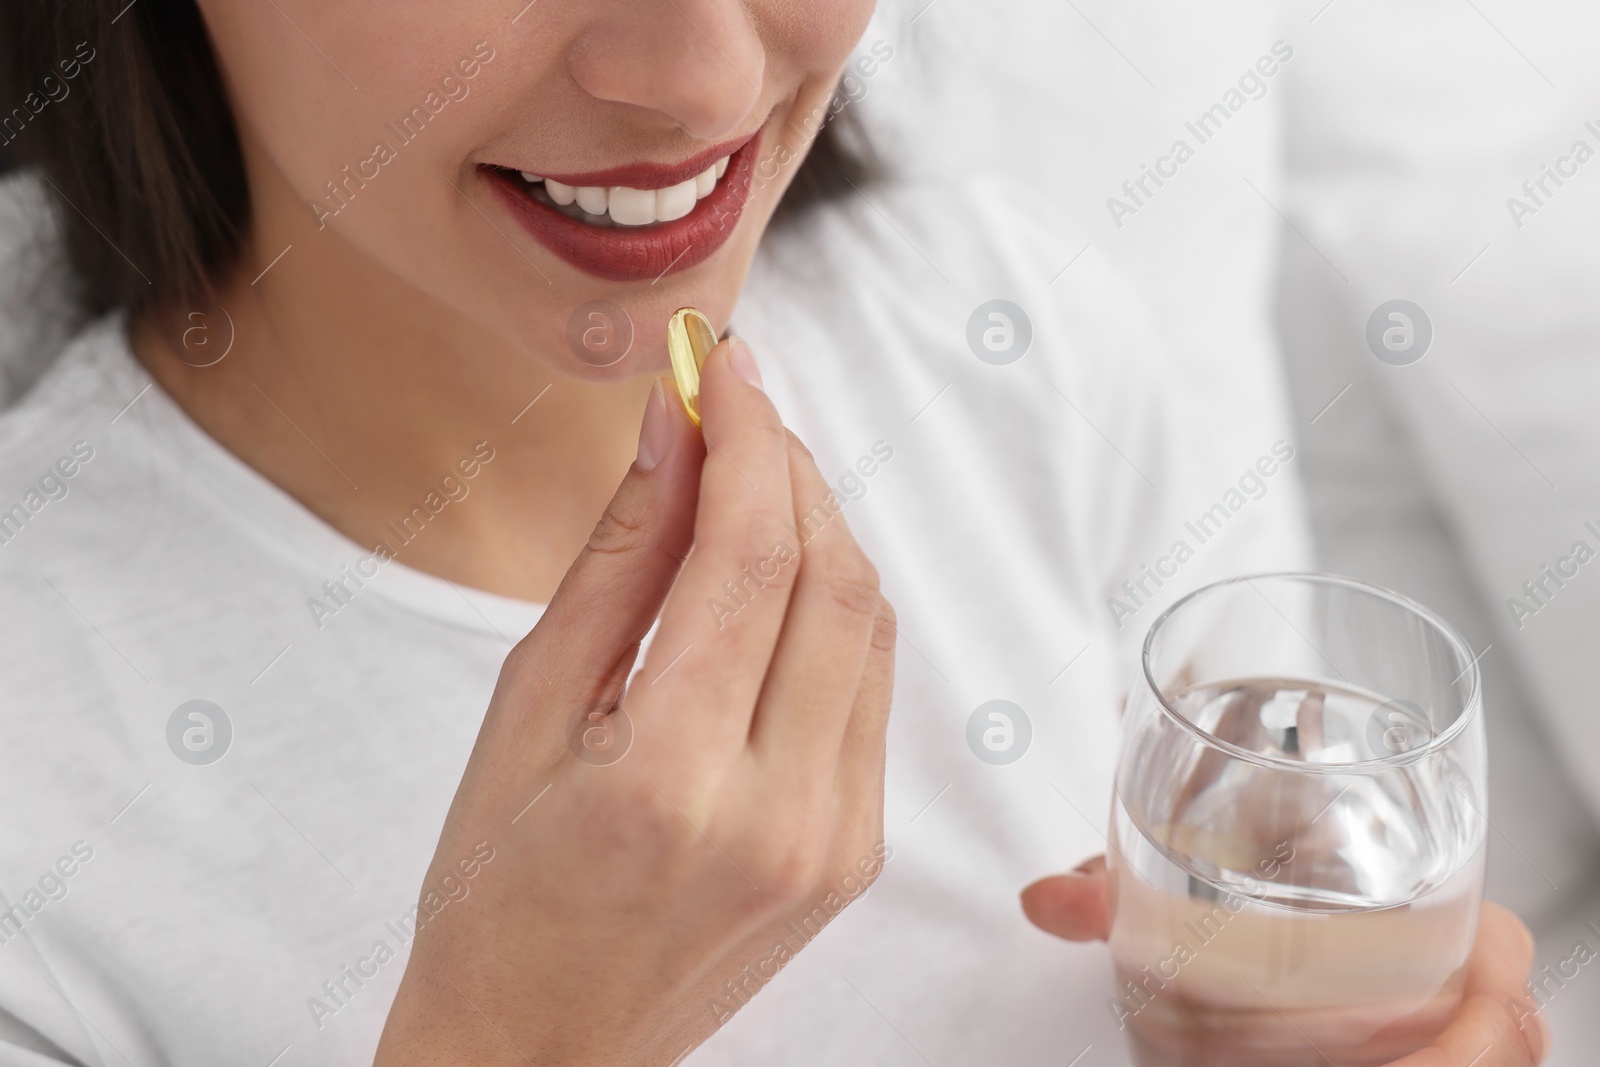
point(420, 319)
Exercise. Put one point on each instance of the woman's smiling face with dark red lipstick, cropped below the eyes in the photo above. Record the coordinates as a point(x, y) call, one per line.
point(665, 132)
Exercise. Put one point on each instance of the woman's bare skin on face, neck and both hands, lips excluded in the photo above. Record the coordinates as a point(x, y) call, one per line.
point(369, 351)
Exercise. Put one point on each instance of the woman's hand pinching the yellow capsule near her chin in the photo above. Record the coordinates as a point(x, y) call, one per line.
point(628, 897)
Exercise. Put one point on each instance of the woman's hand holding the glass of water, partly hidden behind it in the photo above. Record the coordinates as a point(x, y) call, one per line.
point(1498, 1025)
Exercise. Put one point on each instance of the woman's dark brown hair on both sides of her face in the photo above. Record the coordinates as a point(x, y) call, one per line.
point(121, 108)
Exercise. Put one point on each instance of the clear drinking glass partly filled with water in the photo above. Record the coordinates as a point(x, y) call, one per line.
point(1297, 849)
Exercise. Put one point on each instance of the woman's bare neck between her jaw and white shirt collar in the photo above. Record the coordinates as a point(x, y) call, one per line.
point(359, 396)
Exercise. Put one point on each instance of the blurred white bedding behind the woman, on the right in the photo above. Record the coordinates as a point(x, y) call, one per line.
point(1375, 164)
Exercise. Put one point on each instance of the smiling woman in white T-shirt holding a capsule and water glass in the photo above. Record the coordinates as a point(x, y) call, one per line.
point(388, 294)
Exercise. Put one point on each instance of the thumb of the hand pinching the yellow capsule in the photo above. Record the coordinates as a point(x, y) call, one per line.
point(615, 588)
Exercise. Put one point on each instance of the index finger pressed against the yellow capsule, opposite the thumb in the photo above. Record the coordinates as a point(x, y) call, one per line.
point(724, 615)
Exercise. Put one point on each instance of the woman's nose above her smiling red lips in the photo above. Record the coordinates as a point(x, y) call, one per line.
point(700, 63)
